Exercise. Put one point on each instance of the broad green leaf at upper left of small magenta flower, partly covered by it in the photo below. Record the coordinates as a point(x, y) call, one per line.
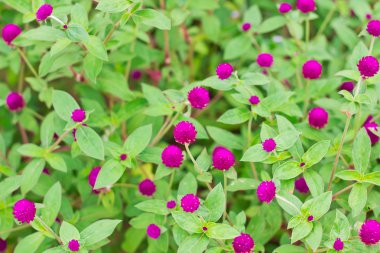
point(64, 104)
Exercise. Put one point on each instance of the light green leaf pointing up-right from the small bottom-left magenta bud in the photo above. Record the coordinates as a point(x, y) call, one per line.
point(98, 231)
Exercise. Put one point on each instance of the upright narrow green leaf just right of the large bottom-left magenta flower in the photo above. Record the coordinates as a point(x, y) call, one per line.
point(52, 204)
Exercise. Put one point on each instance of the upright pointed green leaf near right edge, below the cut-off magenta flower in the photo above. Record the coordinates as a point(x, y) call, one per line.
point(361, 151)
